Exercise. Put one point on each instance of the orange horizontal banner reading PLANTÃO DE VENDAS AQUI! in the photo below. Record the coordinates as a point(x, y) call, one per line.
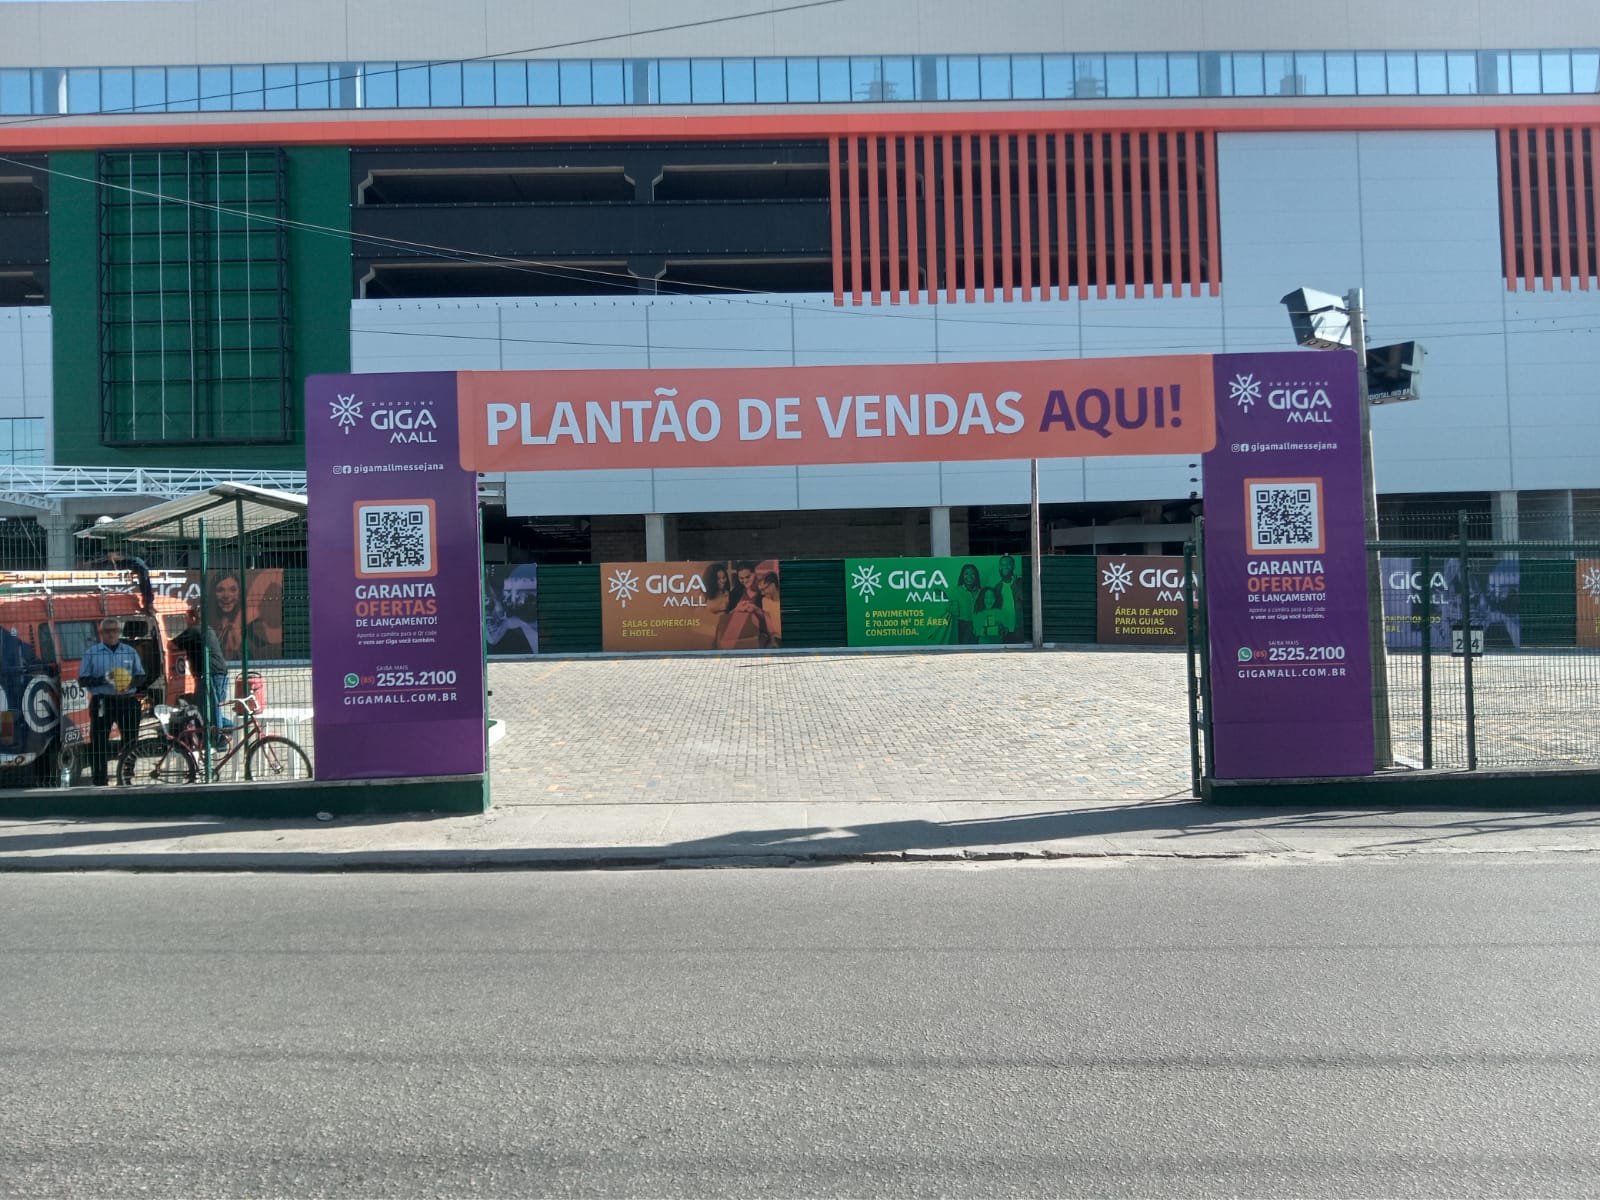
point(825, 415)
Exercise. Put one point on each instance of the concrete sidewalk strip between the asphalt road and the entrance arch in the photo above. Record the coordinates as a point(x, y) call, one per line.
point(782, 834)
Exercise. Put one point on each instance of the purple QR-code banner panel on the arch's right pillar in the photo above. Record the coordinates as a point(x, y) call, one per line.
point(1287, 569)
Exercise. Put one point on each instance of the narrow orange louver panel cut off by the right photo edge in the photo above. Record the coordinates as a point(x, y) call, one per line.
point(1548, 207)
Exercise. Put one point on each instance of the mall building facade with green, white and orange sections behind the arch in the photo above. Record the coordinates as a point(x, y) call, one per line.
point(202, 202)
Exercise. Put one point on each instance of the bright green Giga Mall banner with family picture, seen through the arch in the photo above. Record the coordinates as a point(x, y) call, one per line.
point(967, 601)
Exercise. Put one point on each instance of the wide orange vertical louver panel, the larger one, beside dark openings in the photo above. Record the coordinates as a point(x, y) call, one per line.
point(1034, 215)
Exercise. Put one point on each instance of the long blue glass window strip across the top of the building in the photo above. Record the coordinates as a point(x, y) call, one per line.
point(863, 79)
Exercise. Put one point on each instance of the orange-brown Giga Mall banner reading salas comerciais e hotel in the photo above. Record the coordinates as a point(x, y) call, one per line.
point(730, 604)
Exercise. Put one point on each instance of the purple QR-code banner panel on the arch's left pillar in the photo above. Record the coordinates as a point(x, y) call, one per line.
point(396, 580)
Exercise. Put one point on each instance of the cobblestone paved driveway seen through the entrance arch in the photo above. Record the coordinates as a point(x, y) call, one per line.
point(943, 727)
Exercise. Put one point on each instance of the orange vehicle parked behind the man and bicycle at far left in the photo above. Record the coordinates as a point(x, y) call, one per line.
point(47, 622)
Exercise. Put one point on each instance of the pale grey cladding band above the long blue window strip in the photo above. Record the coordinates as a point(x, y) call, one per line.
point(287, 31)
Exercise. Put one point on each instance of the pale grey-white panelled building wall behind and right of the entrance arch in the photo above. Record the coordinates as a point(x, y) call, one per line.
point(1412, 218)
